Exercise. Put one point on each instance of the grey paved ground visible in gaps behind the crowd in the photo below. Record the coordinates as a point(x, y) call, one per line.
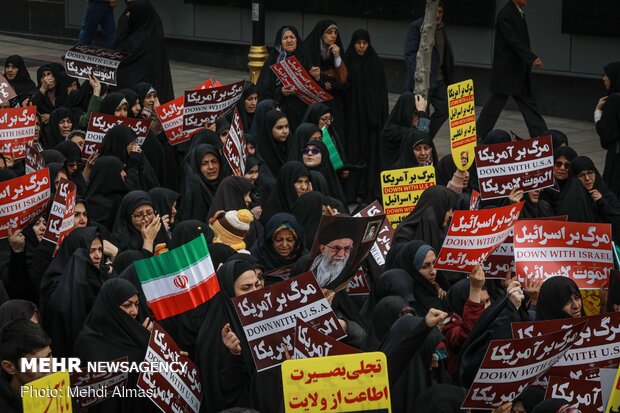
point(582, 136)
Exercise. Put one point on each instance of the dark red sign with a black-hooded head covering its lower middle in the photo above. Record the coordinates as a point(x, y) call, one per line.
point(99, 124)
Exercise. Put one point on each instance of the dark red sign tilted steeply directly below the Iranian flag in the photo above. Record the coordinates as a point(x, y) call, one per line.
point(171, 391)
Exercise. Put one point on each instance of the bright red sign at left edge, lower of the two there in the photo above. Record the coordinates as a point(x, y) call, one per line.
point(23, 199)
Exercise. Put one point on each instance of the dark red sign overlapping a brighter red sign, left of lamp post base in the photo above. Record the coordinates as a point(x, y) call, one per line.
point(204, 106)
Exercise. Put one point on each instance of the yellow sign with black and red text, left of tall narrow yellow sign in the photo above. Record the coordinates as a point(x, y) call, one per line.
point(401, 189)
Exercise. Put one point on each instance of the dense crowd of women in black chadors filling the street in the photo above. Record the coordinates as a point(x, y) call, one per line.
point(136, 201)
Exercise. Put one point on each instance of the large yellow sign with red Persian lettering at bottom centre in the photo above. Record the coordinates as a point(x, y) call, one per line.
point(347, 383)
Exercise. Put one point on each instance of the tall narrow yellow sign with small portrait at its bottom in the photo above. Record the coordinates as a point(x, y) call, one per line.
point(462, 115)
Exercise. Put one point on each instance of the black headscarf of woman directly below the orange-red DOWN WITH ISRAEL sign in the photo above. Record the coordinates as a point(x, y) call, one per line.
point(554, 294)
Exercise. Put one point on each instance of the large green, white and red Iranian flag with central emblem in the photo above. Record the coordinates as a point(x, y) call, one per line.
point(178, 280)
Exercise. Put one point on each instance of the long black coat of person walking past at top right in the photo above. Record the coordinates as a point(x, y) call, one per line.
point(512, 56)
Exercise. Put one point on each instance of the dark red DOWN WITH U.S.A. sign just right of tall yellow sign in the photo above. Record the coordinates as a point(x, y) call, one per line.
point(525, 165)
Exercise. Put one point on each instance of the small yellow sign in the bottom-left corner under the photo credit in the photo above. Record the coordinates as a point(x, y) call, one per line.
point(49, 394)
